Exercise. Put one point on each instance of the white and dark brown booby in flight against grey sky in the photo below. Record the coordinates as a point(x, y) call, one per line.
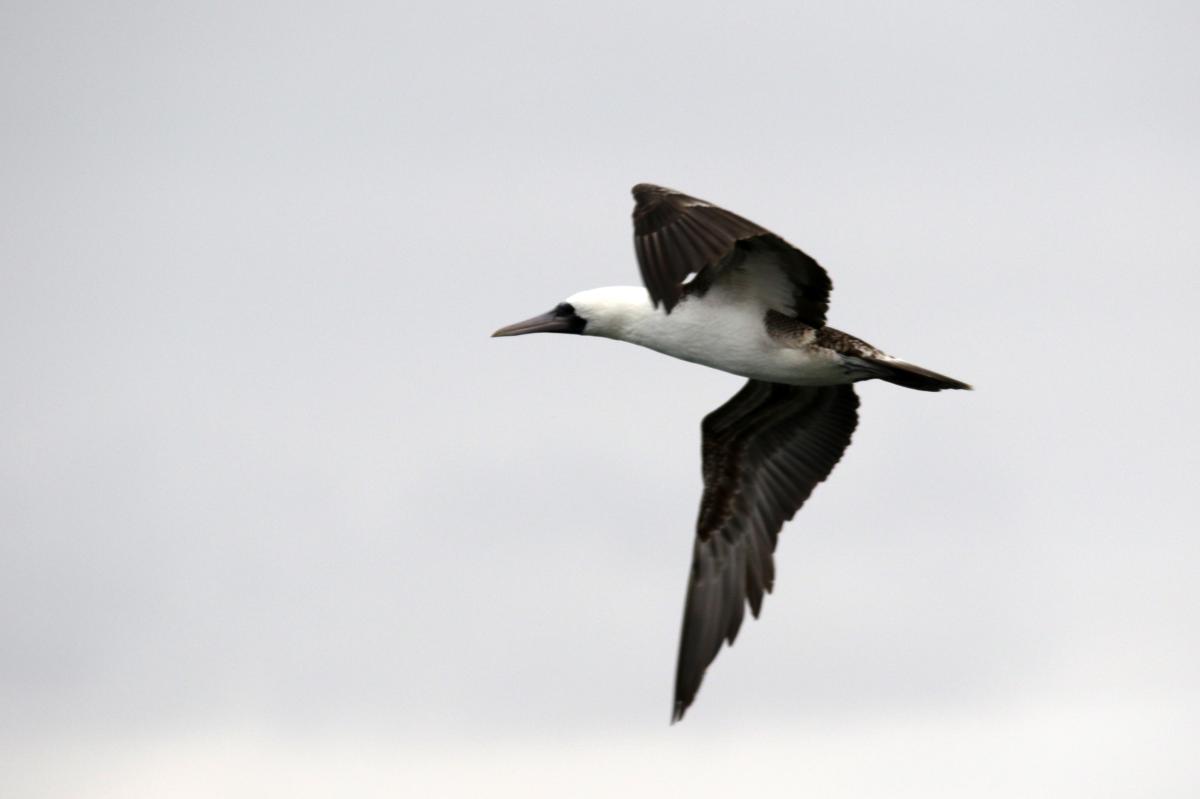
point(724, 292)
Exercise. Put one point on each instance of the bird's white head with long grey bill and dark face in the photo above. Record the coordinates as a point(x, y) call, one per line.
point(596, 313)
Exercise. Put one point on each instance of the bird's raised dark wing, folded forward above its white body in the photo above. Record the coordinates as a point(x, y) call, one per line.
point(677, 236)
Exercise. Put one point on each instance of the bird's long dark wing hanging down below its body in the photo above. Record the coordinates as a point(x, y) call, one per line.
point(764, 453)
